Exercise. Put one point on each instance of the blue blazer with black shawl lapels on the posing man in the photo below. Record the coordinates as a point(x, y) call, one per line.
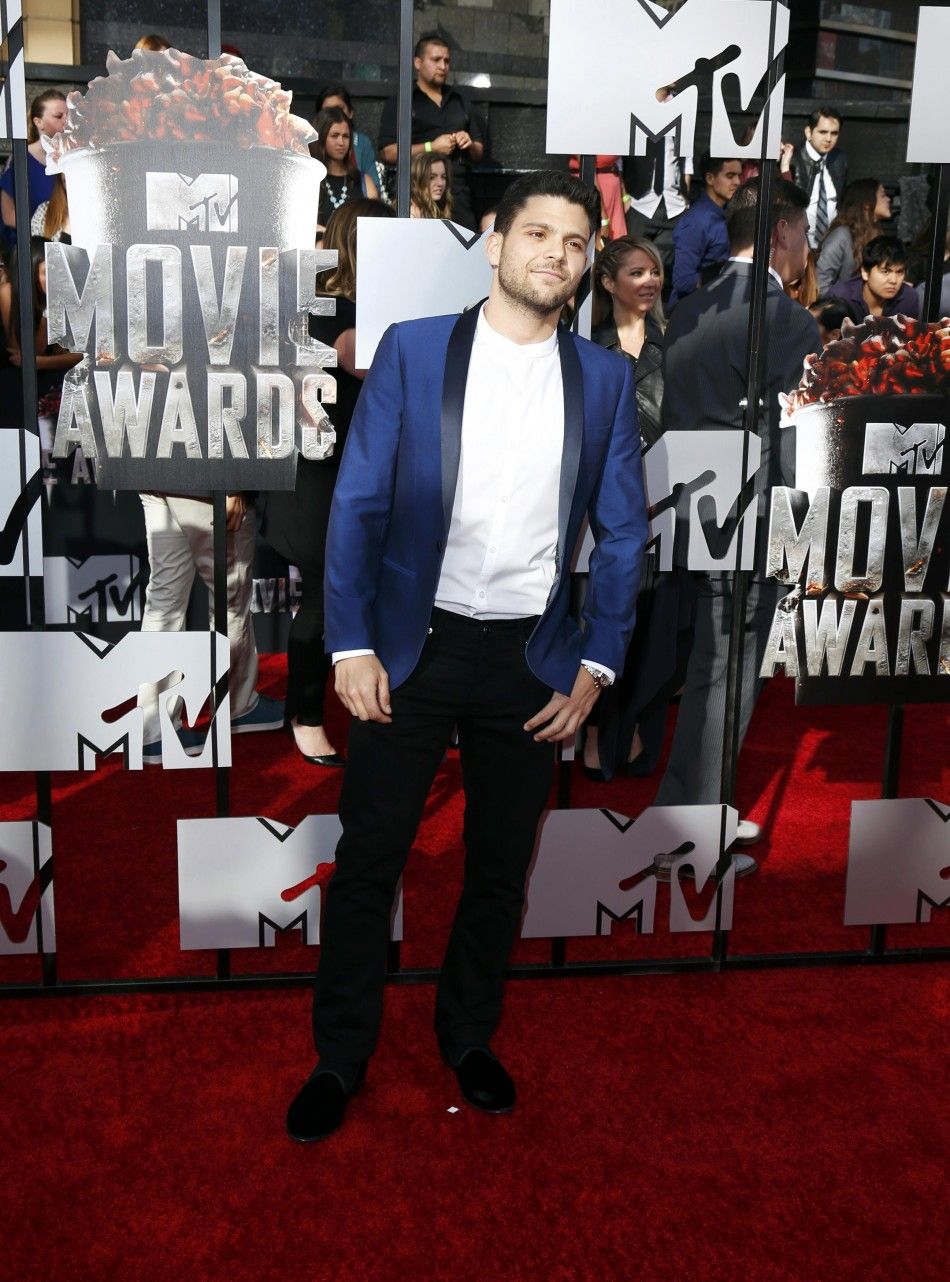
point(397, 485)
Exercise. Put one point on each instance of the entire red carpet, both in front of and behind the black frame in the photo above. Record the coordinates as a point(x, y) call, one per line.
point(780, 1125)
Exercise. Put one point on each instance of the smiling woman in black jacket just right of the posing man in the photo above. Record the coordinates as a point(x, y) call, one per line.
point(626, 733)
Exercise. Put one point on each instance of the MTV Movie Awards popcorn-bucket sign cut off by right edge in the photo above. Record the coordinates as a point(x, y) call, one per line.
point(865, 540)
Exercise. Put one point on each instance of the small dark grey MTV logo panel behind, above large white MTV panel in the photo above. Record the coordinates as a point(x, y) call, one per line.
point(94, 589)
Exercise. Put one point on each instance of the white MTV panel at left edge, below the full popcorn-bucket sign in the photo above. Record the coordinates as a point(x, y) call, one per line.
point(69, 697)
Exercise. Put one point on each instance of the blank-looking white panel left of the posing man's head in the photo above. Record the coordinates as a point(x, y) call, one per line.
point(408, 269)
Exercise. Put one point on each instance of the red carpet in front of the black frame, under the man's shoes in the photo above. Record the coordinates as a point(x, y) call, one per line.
point(780, 1128)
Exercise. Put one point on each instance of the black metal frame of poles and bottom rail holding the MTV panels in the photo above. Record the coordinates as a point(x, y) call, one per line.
point(560, 967)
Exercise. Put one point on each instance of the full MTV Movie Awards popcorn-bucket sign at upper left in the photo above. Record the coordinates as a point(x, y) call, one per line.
point(190, 280)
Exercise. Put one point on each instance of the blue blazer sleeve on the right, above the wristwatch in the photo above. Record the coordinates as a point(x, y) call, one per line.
point(619, 522)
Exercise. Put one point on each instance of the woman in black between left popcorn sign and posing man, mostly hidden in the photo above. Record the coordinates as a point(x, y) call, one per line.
point(296, 522)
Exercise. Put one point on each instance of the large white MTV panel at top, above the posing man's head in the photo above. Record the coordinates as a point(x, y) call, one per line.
point(716, 47)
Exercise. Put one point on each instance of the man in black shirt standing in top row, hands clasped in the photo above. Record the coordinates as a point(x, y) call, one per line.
point(444, 122)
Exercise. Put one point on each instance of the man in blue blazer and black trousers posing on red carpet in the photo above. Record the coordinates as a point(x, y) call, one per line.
point(478, 447)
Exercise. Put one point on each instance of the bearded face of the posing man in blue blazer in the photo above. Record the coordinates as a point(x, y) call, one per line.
point(543, 256)
